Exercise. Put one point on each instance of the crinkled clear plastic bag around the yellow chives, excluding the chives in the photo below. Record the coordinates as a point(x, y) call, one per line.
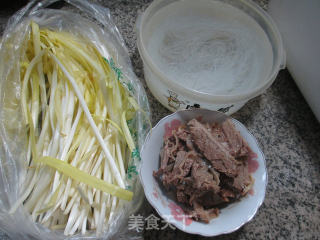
point(94, 22)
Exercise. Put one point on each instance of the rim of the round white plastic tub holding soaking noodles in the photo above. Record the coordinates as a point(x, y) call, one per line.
point(215, 98)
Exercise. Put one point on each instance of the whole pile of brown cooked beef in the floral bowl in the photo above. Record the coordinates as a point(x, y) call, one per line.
point(205, 166)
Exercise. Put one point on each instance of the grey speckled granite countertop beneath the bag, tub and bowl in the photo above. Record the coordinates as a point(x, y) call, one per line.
point(286, 130)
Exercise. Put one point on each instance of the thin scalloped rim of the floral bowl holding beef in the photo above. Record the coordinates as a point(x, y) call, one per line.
point(246, 220)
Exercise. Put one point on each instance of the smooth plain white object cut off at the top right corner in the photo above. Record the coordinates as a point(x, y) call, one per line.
point(298, 22)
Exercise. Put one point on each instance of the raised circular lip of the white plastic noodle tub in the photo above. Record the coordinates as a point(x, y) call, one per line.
point(252, 9)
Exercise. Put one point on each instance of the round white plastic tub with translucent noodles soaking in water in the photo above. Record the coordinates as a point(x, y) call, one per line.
point(214, 54)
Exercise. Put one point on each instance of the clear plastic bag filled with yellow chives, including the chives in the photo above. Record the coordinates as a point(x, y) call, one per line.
point(72, 118)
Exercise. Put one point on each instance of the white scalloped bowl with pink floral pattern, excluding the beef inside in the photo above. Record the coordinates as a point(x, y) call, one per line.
point(231, 217)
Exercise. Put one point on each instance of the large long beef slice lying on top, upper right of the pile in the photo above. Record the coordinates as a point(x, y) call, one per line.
point(212, 149)
